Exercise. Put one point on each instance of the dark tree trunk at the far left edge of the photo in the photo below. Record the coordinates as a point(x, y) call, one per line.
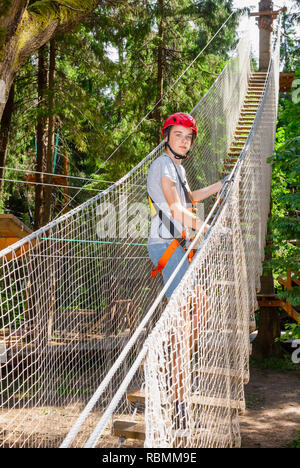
point(4, 133)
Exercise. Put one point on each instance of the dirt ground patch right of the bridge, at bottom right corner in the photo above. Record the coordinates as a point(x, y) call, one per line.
point(272, 416)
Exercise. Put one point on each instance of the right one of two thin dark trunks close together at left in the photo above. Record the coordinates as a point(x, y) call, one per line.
point(51, 137)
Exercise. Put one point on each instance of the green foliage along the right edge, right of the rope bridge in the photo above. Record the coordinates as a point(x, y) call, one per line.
point(284, 222)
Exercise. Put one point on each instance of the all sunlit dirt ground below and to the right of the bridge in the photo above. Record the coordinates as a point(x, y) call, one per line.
point(271, 420)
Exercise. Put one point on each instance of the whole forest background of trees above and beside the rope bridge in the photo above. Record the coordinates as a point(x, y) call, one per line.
point(92, 74)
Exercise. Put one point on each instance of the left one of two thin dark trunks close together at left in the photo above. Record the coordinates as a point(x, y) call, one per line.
point(40, 131)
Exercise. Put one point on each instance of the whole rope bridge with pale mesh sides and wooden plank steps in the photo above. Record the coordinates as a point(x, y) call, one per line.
point(80, 312)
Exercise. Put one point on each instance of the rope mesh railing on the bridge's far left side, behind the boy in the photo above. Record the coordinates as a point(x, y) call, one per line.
point(74, 293)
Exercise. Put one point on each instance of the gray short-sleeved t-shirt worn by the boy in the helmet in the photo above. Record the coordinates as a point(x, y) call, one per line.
point(163, 166)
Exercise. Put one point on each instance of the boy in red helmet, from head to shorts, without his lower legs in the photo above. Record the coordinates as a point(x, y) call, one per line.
point(171, 197)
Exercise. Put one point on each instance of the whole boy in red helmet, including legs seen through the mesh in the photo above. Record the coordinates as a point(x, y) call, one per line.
point(171, 198)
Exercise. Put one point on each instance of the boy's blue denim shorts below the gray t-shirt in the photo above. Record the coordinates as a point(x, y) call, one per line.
point(155, 252)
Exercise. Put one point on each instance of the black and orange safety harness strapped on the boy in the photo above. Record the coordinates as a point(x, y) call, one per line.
point(180, 238)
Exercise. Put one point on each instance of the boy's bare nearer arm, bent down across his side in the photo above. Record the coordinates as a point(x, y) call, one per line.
point(178, 211)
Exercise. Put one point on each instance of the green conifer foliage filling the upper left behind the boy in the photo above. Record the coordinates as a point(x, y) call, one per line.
point(106, 82)
